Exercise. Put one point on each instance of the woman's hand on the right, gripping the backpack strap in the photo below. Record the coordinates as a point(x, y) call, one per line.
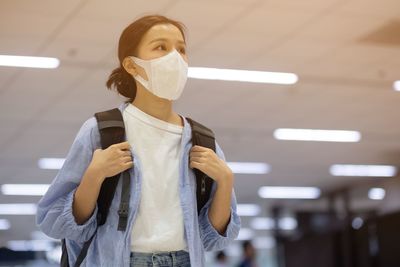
point(207, 161)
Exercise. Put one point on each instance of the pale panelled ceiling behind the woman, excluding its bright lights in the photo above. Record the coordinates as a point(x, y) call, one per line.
point(346, 54)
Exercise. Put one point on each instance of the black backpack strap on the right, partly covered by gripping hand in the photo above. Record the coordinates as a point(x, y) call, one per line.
point(205, 137)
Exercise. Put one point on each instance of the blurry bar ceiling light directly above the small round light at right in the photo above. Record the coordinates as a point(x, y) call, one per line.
point(363, 170)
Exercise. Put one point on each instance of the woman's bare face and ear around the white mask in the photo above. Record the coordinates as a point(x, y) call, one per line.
point(158, 41)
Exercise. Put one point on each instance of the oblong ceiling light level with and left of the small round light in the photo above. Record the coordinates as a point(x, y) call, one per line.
point(287, 192)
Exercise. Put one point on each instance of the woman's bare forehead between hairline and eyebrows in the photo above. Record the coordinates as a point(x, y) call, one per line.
point(164, 31)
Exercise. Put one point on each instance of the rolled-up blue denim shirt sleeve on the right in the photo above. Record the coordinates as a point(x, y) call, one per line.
point(211, 238)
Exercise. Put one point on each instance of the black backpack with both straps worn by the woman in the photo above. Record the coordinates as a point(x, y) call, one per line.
point(112, 131)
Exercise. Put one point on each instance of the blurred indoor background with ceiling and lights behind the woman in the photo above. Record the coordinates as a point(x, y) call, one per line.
point(315, 148)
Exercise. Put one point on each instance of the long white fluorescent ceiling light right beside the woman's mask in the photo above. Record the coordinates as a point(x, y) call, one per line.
point(242, 75)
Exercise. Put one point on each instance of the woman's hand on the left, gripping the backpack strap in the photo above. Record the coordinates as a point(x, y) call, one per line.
point(112, 160)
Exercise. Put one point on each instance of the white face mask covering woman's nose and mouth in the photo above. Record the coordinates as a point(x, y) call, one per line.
point(167, 75)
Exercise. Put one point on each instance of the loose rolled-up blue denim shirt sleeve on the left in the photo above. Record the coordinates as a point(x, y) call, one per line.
point(54, 211)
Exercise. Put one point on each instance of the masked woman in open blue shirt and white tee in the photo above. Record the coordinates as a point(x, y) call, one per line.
point(163, 227)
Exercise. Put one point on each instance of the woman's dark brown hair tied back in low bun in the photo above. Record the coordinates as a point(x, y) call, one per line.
point(129, 40)
